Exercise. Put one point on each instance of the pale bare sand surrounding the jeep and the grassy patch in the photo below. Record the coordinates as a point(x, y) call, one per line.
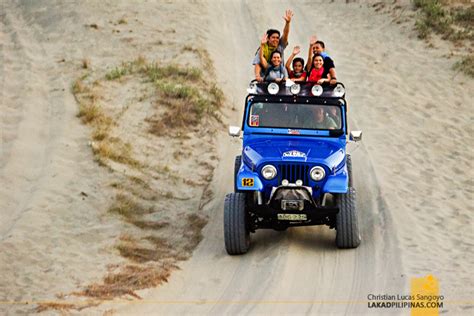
point(413, 170)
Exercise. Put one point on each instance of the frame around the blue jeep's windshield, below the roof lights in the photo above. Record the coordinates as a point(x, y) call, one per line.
point(294, 129)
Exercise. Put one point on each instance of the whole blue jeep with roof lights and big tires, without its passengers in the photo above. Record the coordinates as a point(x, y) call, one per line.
point(294, 169)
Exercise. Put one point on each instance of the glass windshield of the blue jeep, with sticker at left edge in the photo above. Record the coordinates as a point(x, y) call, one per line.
point(295, 116)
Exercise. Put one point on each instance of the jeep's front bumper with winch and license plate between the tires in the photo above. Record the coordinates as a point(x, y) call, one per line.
point(292, 205)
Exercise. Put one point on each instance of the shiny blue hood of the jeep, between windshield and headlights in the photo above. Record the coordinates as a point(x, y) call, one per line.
point(328, 152)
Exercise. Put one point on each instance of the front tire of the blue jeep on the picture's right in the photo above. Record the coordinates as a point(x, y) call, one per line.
point(347, 226)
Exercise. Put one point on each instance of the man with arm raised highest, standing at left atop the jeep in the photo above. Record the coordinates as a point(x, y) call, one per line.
point(274, 42)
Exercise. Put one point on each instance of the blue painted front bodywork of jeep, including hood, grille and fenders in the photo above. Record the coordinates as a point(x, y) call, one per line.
point(293, 153)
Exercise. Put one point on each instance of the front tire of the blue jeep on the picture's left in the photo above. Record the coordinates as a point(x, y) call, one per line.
point(236, 233)
